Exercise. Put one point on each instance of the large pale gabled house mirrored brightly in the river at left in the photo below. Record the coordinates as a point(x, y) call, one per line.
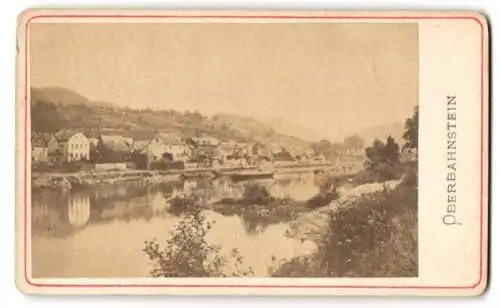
point(72, 146)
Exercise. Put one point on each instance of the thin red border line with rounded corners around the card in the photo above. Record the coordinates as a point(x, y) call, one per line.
point(346, 17)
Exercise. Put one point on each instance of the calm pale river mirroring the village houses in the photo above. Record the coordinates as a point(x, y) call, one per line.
point(100, 231)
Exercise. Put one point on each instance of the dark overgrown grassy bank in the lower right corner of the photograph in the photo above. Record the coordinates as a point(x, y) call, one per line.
point(374, 236)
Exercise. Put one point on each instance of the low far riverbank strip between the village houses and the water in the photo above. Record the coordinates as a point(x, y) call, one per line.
point(94, 177)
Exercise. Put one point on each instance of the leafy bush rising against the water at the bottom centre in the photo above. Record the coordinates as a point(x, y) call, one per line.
point(187, 253)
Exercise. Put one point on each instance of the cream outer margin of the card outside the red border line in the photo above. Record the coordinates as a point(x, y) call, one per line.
point(25, 286)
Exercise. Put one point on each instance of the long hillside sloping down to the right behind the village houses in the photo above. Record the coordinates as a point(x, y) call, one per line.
point(56, 108)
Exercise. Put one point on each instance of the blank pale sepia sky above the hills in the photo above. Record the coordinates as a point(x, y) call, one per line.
point(325, 78)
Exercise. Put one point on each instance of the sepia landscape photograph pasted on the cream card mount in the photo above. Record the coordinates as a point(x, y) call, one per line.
point(224, 149)
